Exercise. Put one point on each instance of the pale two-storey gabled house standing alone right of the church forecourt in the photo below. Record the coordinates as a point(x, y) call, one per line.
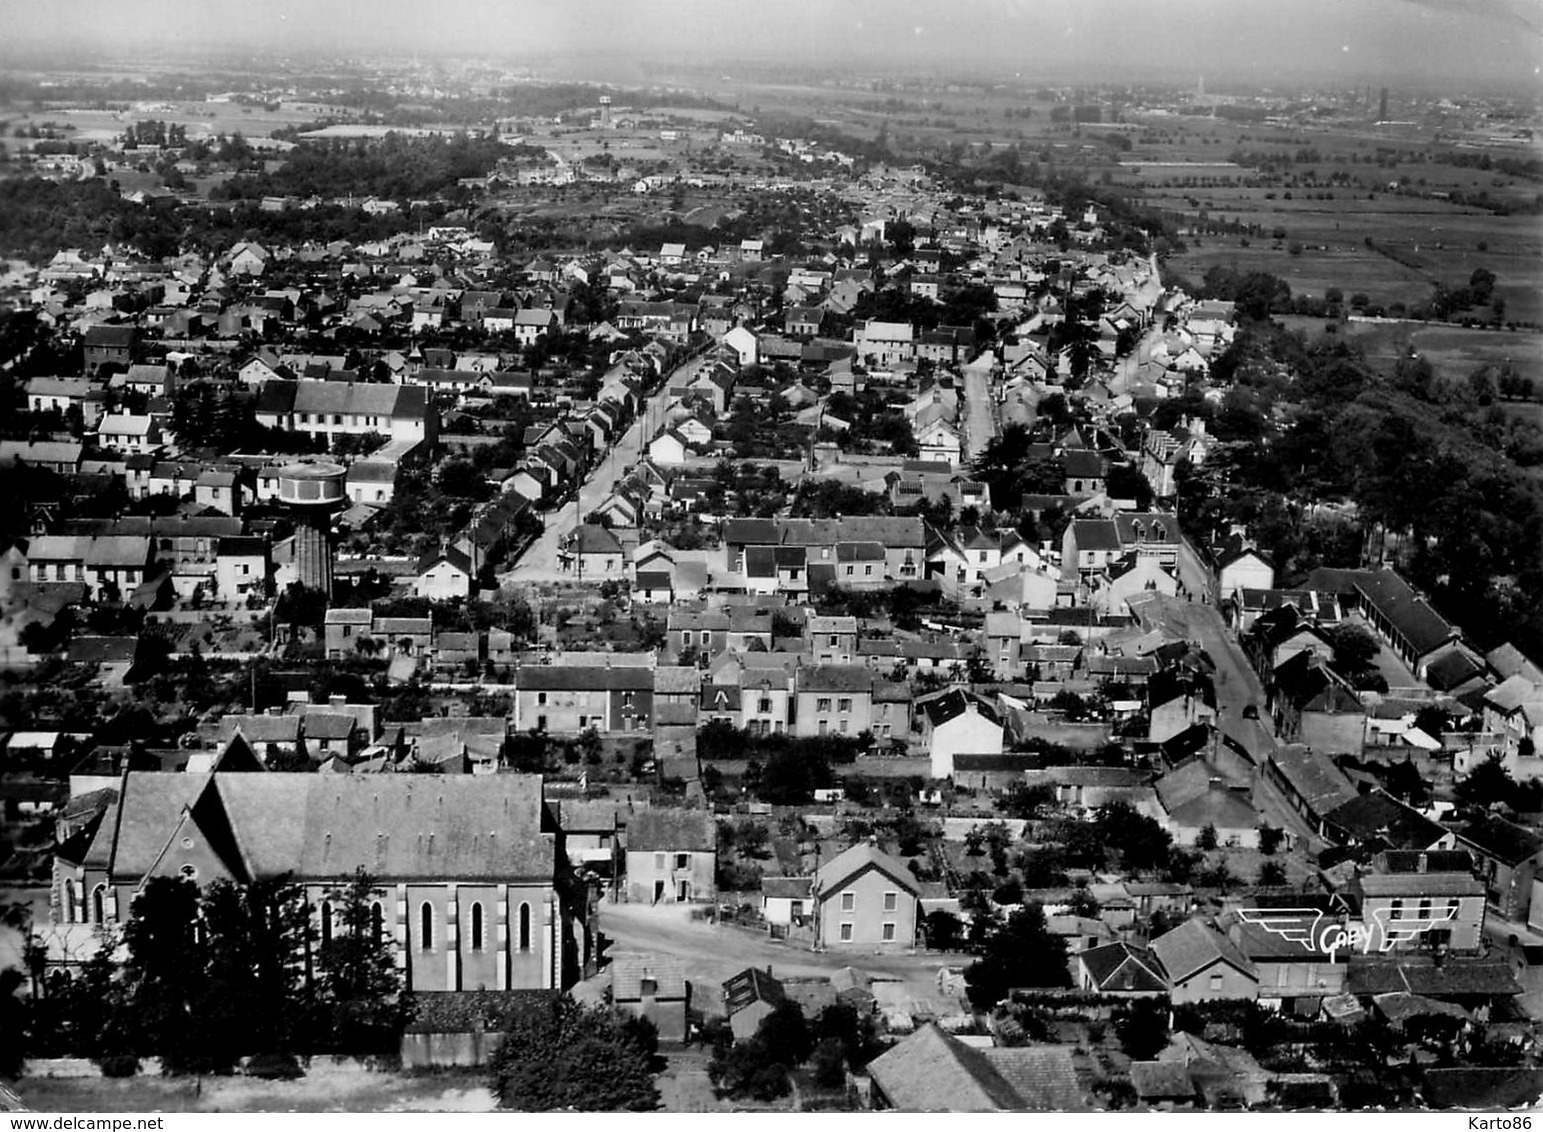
point(866, 898)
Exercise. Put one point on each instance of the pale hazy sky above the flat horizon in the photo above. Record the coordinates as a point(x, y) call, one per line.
point(1096, 41)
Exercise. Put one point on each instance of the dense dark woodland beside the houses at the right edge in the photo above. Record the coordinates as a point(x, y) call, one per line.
point(1442, 482)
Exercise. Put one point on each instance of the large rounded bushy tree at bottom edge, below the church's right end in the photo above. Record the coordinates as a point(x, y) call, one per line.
point(561, 1056)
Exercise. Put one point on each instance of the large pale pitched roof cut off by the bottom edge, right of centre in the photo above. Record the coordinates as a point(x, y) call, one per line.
point(936, 1073)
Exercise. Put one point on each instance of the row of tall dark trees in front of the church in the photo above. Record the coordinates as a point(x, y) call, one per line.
point(211, 977)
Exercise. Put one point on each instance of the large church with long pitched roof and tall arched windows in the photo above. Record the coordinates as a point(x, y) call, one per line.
point(474, 891)
